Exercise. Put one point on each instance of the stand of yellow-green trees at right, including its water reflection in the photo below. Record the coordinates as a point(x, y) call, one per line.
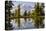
point(38, 15)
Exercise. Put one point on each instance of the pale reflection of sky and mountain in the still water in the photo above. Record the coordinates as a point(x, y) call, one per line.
point(23, 25)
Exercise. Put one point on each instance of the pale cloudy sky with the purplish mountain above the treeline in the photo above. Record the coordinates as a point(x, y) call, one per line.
point(24, 6)
